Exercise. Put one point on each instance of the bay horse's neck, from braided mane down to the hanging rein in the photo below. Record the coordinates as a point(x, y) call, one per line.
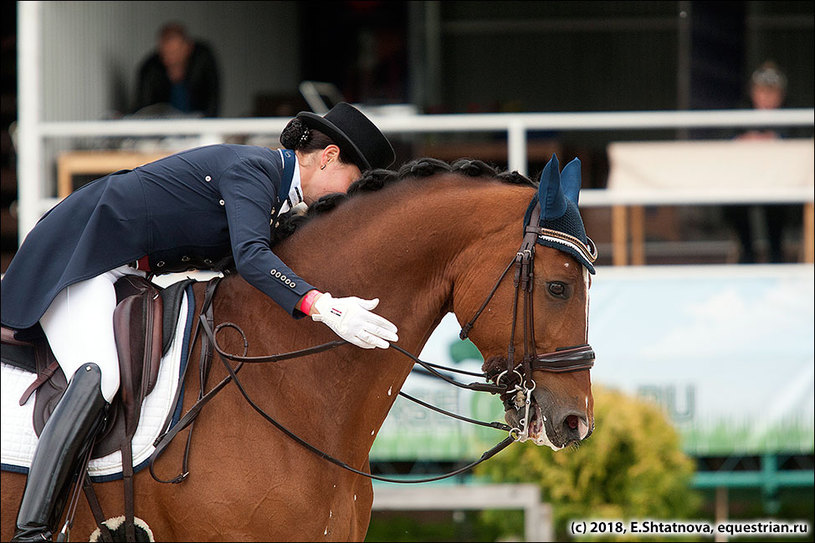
point(407, 246)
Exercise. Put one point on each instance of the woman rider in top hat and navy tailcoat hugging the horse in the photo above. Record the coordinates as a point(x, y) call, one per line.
point(186, 211)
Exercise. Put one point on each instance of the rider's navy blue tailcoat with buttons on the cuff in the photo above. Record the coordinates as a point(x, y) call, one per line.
point(185, 211)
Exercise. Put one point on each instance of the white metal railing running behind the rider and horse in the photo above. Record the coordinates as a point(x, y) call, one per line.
point(33, 200)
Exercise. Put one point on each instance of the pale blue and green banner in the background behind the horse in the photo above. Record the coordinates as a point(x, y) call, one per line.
point(726, 351)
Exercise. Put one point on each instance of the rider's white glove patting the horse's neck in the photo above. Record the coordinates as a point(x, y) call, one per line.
point(351, 319)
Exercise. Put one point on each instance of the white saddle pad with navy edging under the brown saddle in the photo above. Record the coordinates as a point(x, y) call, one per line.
point(16, 422)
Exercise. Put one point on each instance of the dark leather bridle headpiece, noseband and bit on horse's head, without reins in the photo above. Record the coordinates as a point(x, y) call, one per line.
point(516, 379)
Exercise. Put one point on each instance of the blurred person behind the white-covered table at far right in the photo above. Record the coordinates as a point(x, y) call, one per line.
point(767, 90)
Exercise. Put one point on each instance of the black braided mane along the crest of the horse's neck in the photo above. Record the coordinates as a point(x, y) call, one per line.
point(374, 180)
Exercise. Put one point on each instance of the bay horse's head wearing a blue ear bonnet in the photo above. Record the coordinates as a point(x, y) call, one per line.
point(543, 299)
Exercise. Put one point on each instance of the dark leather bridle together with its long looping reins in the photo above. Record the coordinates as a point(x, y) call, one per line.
point(514, 383)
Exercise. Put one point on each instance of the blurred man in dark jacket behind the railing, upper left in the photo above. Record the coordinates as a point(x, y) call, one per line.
point(180, 74)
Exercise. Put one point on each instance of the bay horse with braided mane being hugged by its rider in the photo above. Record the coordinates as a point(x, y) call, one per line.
point(434, 242)
